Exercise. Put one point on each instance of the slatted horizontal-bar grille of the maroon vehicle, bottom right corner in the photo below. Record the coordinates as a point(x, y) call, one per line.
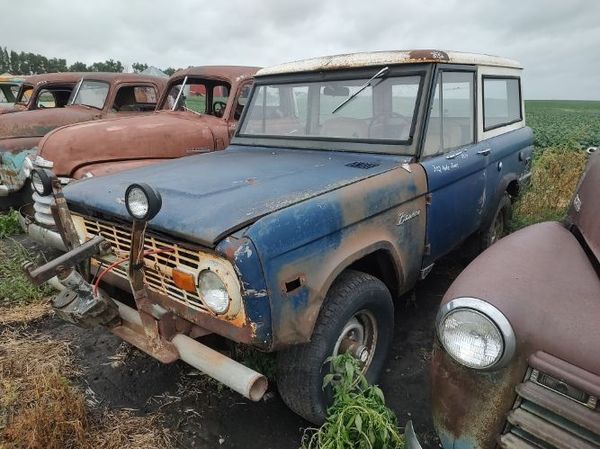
point(552, 414)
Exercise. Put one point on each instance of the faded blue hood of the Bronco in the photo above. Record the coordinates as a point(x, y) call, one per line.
point(206, 197)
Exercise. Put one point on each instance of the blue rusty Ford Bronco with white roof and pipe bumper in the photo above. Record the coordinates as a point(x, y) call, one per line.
point(347, 178)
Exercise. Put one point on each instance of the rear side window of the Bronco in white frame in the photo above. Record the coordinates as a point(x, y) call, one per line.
point(501, 102)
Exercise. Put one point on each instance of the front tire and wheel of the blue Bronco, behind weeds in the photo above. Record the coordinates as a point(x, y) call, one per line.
point(357, 316)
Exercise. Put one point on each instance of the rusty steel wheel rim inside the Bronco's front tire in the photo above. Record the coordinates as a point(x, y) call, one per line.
point(360, 330)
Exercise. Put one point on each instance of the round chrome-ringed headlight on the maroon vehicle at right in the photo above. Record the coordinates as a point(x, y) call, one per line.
point(475, 333)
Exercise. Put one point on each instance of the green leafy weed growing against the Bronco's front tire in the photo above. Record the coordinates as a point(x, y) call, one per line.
point(358, 418)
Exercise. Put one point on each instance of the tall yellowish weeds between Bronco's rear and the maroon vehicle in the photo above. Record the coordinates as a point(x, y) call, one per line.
point(554, 178)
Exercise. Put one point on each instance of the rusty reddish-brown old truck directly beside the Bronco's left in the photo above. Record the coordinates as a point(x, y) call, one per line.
point(202, 120)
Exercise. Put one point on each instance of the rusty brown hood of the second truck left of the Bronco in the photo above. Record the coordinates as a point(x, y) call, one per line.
point(39, 122)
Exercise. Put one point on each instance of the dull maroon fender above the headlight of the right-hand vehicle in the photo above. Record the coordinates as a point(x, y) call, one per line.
point(541, 279)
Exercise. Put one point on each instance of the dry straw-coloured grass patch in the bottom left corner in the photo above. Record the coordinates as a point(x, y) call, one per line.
point(40, 408)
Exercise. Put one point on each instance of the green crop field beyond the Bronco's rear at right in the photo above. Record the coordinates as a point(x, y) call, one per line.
point(573, 124)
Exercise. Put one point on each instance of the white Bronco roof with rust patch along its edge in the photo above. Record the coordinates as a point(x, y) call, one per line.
point(378, 58)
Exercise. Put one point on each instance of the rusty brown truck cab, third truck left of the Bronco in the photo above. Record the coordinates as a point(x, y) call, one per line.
point(48, 90)
